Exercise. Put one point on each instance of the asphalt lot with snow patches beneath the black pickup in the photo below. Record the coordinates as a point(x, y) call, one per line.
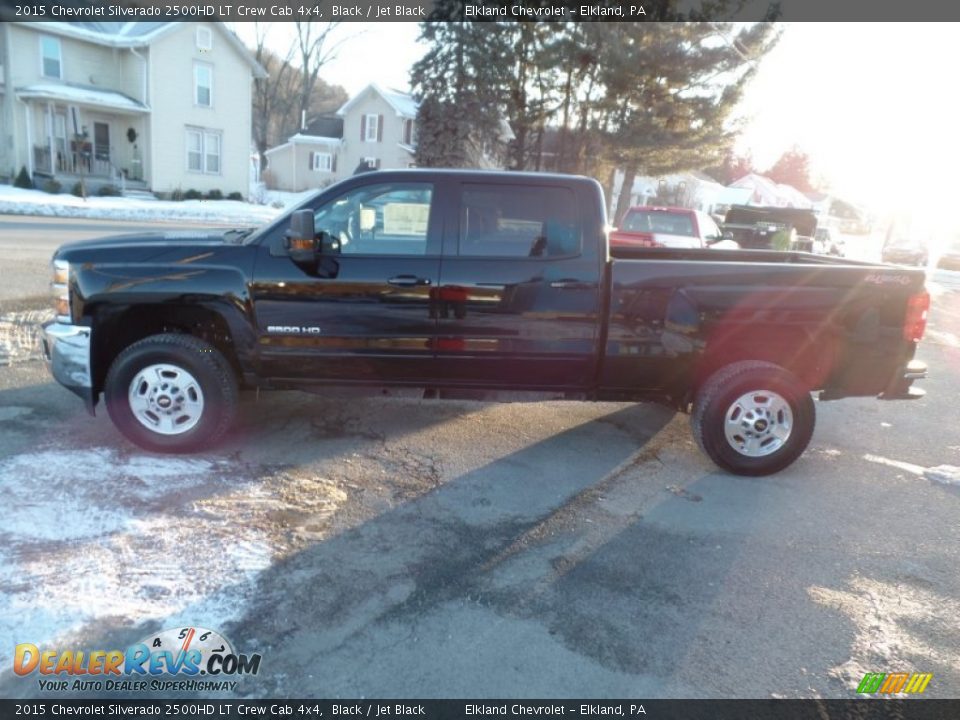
point(398, 547)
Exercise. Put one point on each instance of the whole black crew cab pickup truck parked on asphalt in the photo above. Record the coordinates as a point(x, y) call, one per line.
point(454, 280)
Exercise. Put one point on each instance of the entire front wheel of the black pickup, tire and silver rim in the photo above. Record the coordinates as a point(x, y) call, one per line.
point(171, 393)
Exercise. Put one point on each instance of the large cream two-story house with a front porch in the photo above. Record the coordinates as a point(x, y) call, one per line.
point(160, 105)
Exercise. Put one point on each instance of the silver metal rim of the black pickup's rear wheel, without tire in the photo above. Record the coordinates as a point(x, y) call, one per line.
point(758, 423)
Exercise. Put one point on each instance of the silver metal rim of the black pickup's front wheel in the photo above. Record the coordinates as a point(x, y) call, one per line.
point(166, 399)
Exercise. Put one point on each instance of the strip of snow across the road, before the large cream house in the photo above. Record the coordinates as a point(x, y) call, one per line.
point(17, 201)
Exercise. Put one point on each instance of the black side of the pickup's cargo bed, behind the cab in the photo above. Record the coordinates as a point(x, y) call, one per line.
point(680, 314)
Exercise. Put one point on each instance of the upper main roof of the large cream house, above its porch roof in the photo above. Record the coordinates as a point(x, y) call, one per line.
point(135, 34)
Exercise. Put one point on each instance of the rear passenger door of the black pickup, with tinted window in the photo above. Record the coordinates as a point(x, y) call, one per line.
point(518, 302)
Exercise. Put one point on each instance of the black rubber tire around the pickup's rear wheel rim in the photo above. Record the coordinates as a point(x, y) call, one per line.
point(717, 397)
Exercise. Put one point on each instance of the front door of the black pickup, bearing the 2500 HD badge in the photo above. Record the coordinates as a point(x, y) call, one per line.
point(364, 315)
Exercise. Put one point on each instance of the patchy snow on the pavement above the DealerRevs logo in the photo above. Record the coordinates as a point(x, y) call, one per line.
point(96, 538)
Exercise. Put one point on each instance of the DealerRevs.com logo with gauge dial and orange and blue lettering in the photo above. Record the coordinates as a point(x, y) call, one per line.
point(180, 659)
